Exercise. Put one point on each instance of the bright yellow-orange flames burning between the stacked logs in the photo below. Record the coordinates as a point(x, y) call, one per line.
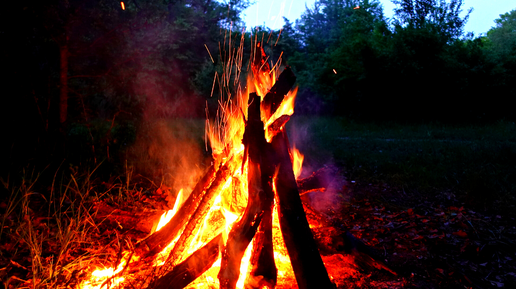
point(225, 137)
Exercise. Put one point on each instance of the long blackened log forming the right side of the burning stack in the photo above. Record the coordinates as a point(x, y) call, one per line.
point(306, 261)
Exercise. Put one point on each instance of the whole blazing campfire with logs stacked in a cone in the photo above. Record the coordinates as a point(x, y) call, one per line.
point(244, 223)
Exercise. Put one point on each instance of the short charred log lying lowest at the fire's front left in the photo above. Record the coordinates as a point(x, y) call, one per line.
point(191, 268)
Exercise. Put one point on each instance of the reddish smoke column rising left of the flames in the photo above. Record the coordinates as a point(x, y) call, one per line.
point(169, 142)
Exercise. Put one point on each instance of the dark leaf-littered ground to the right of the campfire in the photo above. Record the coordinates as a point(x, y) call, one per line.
point(437, 241)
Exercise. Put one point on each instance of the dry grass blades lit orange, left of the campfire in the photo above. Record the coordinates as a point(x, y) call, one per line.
point(50, 237)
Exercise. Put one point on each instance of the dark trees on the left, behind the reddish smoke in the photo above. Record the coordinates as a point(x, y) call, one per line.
point(83, 68)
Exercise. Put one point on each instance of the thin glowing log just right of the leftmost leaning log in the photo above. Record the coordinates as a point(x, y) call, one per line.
point(202, 210)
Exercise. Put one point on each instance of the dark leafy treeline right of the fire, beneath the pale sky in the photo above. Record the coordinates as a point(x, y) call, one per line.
point(419, 66)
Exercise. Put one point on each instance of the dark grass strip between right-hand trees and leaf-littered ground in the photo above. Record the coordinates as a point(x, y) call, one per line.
point(479, 160)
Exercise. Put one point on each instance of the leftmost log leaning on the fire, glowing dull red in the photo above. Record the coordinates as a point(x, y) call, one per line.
point(160, 239)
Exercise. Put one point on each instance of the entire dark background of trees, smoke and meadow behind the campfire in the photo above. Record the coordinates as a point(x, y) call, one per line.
point(413, 100)
